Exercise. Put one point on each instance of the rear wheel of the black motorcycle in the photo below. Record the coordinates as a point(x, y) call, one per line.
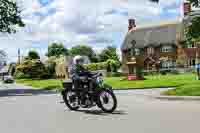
point(71, 99)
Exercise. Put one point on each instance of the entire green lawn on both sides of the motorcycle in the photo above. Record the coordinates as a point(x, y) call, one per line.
point(185, 84)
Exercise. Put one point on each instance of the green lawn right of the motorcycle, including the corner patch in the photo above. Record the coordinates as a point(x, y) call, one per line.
point(185, 84)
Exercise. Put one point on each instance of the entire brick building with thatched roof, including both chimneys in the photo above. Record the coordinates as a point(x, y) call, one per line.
point(159, 47)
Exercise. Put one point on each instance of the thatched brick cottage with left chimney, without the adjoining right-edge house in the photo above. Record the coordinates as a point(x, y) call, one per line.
point(152, 48)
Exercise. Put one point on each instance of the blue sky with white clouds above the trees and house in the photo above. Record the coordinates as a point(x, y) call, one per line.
point(97, 23)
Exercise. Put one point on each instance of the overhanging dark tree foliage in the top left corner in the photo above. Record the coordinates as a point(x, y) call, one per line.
point(9, 16)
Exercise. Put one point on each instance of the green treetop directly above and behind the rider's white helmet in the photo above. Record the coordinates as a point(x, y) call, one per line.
point(84, 50)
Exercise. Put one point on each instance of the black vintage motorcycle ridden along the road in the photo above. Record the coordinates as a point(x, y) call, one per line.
point(93, 92)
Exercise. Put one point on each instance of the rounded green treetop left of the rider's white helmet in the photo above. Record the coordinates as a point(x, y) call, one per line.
point(57, 49)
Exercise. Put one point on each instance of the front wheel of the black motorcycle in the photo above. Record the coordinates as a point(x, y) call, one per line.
point(107, 101)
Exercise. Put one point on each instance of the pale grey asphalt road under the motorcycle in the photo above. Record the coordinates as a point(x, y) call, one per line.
point(23, 110)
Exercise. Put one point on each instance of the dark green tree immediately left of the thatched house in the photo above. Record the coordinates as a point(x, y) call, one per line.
point(108, 53)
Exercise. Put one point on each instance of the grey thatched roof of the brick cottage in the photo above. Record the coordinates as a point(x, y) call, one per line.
point(155, 35)
